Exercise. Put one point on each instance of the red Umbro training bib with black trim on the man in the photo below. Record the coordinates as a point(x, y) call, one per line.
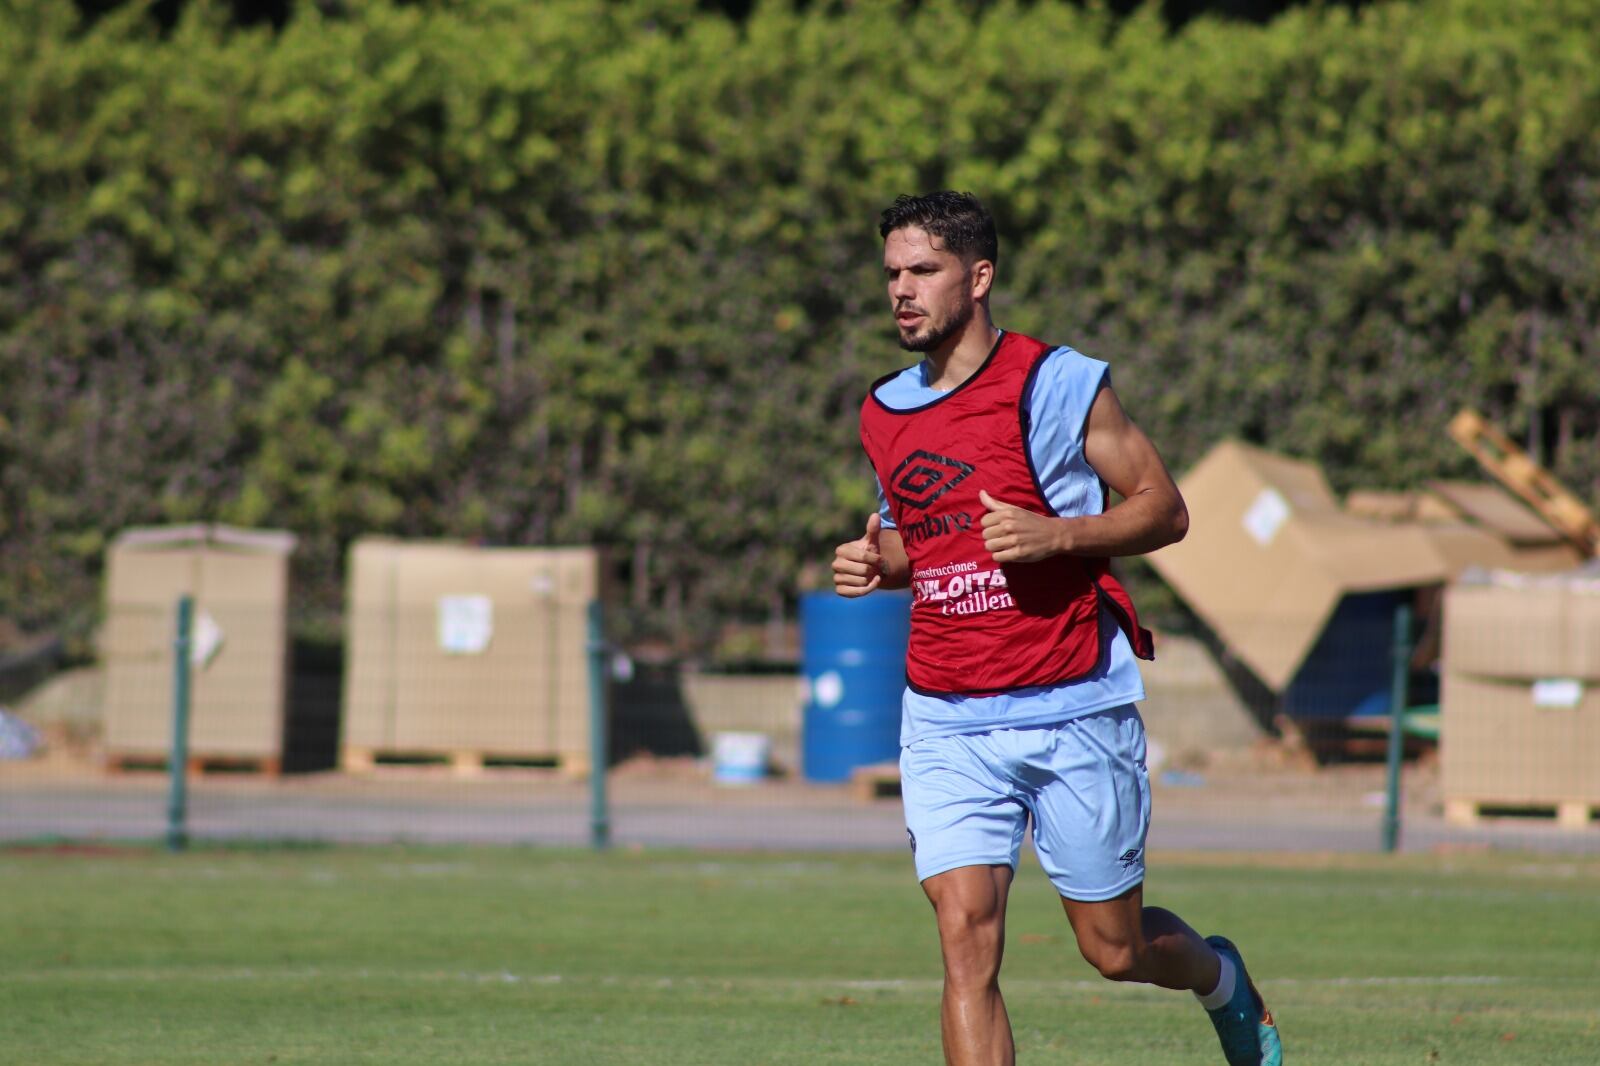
point(978, 627)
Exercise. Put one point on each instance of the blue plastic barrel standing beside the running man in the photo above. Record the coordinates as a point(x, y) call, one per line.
point(854, 657)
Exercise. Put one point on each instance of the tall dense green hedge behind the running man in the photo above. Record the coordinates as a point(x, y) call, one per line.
point(585, 271)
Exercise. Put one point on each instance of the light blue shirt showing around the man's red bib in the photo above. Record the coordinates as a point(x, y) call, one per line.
point(1063, 393)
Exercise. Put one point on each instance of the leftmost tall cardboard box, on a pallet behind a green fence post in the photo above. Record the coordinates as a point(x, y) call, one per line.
point(239, 580)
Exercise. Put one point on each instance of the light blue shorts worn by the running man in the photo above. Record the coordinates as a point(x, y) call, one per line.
point(1084, 782)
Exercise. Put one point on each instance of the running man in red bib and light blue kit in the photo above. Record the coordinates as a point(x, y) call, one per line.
point(993, 457)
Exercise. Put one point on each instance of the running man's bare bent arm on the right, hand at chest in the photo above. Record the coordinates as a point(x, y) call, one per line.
point(1150, 516)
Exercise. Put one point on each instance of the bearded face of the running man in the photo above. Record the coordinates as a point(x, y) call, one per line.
point(930, 289)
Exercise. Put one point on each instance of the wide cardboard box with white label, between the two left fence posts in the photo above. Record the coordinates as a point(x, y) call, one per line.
point(457, 649)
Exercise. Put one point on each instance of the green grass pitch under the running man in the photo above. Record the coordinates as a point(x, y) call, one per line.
point(532, 956)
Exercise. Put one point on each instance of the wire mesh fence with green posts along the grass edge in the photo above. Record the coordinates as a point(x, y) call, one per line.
point(450, 739)
